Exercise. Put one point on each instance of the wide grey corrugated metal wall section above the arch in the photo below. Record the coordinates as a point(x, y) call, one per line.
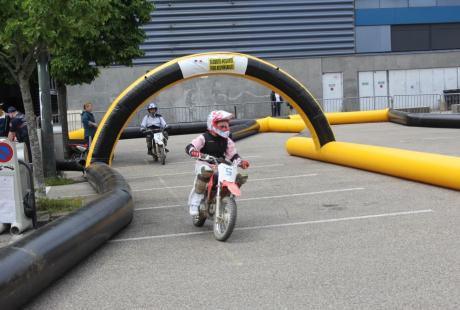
point(267, 29)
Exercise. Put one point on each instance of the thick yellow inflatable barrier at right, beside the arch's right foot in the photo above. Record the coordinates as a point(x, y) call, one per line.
point(435, 169)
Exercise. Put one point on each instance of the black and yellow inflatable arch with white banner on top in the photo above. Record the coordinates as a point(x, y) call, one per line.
point(221, 63)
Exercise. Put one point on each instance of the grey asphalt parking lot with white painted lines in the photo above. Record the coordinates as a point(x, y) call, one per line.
point(309, 235)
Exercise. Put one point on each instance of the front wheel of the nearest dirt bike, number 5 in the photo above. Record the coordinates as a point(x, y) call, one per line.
point(223, 228)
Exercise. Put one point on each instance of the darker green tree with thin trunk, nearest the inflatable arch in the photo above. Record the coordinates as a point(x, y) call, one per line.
point(112, 38)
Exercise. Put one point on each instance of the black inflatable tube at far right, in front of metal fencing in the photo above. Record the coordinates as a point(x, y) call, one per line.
point(437, 120)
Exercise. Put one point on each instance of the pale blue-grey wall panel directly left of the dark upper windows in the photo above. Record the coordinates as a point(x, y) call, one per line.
point(373, 39)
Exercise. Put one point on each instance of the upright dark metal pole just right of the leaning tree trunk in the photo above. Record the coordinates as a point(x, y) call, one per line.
point(49, 160)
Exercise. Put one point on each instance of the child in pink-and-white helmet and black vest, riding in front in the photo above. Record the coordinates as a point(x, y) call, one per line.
point(214, 142)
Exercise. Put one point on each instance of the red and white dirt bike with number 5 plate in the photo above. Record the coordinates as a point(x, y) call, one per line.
point(219, 202)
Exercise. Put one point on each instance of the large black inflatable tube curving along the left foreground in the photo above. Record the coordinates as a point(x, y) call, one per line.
point(31, 264)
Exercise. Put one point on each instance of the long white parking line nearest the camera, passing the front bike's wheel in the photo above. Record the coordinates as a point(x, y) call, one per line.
point(343, 219)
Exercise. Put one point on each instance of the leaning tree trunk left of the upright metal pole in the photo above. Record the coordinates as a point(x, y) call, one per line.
point(33, 137)
